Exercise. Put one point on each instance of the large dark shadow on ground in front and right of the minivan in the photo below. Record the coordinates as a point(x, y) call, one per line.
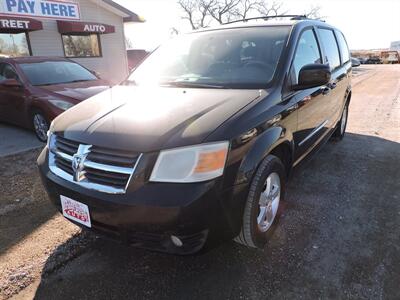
point(338, 238)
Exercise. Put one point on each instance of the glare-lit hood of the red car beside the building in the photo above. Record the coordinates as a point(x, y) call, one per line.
point(78, 90)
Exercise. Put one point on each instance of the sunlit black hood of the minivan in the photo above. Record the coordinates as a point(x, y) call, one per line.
point(145, 120)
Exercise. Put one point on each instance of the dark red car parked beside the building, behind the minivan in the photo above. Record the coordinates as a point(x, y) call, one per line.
point(35, 90)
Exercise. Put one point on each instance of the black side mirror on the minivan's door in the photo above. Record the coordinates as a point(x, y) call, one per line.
point(313, 75)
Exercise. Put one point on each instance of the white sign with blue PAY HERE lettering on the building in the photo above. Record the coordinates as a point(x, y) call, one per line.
point(40, 9)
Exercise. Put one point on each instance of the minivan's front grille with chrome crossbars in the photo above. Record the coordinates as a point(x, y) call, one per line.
point(104, 169)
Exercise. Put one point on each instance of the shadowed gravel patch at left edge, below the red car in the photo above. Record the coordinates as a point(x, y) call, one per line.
point(24, 205)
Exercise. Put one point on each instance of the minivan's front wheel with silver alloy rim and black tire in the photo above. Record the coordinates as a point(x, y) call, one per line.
point(261, 211)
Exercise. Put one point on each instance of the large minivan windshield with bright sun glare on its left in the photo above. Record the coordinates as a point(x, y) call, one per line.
point(234, 58)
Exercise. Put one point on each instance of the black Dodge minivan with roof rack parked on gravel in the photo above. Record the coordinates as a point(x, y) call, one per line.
point(196, 146)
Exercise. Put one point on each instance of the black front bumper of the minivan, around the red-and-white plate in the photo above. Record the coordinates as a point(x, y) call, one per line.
point(147, 215)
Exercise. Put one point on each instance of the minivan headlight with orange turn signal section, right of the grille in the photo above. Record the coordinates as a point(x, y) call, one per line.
point(191, 164)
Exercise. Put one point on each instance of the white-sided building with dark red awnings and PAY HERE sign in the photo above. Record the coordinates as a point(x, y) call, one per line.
point(90, 32)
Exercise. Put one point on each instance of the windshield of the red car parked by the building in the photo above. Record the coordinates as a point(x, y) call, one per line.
point(55, 72)
